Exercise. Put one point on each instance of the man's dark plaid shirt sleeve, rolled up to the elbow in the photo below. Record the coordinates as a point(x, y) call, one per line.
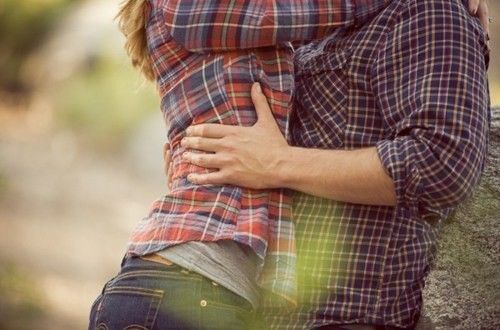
point(433, 93)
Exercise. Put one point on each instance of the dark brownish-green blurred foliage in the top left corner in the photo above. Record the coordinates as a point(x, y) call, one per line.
point(24, 24)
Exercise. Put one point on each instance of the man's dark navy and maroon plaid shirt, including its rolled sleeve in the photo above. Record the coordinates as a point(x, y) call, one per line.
point(412, 83)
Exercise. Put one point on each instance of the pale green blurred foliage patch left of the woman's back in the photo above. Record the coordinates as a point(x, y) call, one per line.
point(104, 104)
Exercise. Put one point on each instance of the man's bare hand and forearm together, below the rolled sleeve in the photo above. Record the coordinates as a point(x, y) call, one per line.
point(259, 157)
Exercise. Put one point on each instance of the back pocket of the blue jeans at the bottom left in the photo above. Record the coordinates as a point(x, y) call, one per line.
point(126, 307)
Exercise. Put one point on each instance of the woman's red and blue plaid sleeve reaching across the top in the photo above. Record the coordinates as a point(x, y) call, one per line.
point(201, 25)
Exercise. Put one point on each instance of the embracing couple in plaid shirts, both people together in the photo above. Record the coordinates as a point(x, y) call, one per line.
point(314, 148)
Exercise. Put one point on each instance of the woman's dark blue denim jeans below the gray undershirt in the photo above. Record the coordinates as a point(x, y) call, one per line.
point(149, 295)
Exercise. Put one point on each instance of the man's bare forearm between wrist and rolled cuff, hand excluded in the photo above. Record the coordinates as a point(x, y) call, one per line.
point(355, 176)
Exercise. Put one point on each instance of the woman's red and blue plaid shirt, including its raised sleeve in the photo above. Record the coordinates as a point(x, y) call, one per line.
point(214, 87)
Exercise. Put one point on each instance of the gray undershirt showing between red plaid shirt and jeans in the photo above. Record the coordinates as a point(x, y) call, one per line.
point(225, 262)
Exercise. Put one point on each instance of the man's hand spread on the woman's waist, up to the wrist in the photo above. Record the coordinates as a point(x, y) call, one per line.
point(244, 156)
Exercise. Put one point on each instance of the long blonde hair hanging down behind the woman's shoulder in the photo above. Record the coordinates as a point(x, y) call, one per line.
point(132, 23)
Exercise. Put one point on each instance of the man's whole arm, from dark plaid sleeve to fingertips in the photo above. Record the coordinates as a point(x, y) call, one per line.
point(439, 117)
